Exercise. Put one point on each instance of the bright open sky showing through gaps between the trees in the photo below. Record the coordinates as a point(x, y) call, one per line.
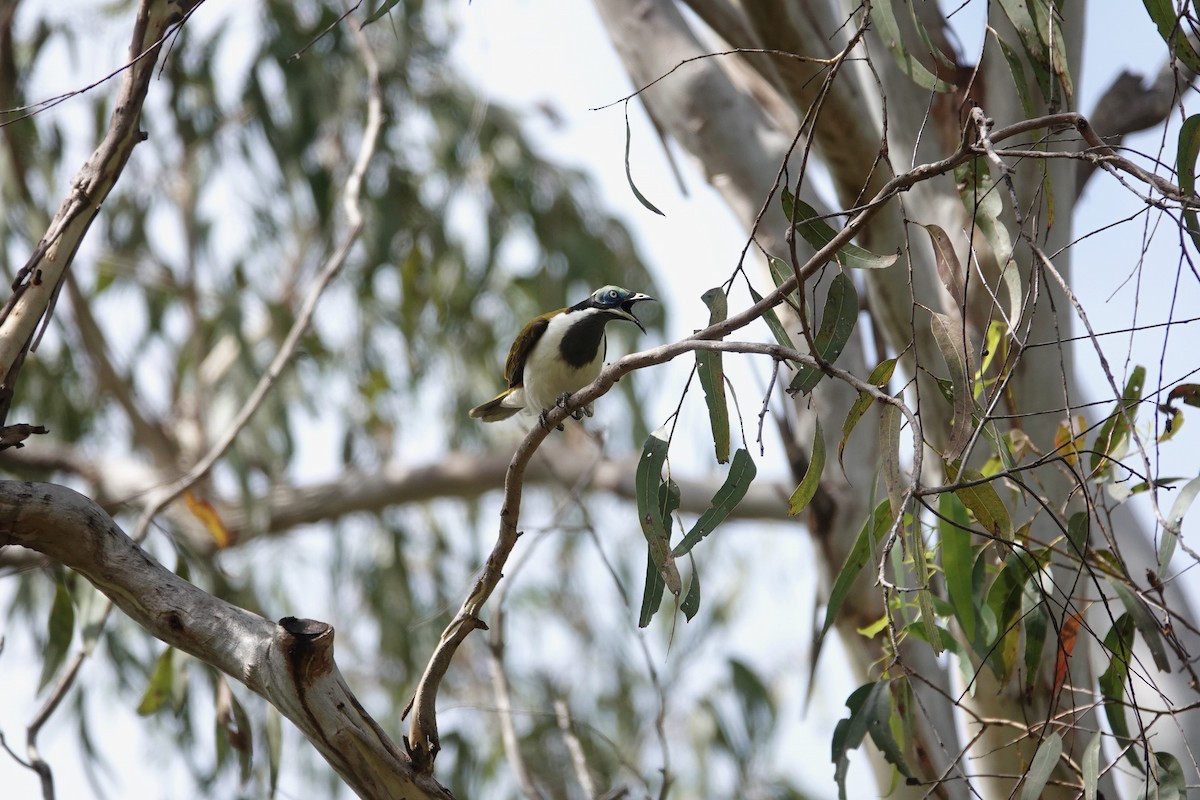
point(548, 53)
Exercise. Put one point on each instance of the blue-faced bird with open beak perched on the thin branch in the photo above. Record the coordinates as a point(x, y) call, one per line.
point(559, 354)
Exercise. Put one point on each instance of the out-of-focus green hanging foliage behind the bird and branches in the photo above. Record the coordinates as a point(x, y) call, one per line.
point(179, 298)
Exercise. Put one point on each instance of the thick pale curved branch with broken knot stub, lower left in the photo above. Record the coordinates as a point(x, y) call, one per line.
point(290, 664)
